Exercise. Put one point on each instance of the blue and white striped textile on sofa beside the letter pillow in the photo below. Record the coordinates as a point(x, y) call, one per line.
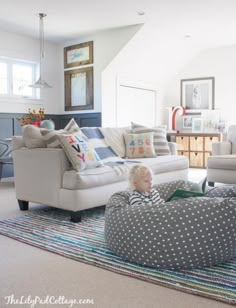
point(96, 137)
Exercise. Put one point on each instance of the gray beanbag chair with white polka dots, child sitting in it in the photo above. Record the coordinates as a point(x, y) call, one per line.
point(180, 234)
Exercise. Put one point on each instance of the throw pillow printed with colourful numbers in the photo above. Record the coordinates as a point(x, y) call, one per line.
point(139, 145)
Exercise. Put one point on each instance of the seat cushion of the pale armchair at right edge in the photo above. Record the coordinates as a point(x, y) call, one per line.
point(226, 162)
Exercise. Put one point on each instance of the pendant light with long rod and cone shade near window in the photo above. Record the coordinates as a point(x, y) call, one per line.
point(40, 83)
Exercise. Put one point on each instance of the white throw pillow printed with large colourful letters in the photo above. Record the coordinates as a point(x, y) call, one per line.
point(79, 152)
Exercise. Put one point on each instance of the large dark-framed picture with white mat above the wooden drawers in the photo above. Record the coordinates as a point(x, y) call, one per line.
point(197, 94)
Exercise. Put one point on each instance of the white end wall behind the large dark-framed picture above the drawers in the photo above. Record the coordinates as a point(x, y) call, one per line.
point(219, 63)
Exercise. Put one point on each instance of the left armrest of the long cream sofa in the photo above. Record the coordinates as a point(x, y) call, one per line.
point(38, 174)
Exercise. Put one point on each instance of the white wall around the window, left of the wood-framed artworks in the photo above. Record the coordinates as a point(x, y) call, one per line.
point(26, 48)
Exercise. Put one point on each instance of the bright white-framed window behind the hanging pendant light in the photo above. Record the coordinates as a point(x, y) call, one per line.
point(15, 78)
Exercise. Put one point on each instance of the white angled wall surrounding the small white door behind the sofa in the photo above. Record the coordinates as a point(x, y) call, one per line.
point(151, 59)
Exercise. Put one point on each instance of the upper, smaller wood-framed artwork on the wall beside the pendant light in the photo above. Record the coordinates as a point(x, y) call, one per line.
point(77, 55)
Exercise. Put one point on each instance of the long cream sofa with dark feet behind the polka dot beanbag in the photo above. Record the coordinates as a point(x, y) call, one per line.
point(45, 175)
